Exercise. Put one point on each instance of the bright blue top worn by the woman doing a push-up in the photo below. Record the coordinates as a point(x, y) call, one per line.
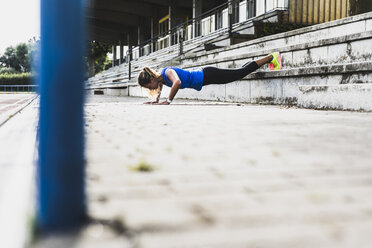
point(189, 78)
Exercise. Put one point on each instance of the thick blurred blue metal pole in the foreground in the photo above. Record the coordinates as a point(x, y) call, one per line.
point(61, 190)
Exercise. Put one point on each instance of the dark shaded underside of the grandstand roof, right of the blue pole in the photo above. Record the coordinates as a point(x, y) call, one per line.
point(111, 21)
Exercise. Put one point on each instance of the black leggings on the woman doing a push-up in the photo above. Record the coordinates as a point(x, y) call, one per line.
point(213, 75)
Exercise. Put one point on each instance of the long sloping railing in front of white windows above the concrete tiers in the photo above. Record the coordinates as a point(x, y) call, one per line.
point(222, 16)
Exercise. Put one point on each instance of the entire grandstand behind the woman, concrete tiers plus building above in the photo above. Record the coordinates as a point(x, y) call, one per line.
point(322, 61)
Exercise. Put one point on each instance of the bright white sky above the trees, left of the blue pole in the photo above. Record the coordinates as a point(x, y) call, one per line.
point(19, 22)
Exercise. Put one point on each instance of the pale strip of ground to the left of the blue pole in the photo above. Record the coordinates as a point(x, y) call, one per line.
point(18, 124)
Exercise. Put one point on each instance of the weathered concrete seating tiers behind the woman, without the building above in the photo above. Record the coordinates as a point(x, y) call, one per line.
point(325, 66)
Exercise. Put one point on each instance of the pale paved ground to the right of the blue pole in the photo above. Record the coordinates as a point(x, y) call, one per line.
point(224, 175)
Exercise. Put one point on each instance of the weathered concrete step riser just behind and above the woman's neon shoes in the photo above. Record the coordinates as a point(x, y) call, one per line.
point(342, 49)
